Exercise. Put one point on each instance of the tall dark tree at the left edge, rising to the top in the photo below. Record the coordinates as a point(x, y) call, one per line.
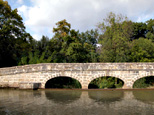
point(14, 41)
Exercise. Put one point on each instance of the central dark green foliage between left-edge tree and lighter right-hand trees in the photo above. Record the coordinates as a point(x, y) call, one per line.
point(67, 46)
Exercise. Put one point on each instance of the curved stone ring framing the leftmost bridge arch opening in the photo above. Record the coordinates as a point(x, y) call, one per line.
point(51, 76)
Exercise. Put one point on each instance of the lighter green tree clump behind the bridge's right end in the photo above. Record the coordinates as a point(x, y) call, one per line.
point(122, 40)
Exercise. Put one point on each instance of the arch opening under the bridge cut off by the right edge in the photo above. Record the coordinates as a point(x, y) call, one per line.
point(145, 82)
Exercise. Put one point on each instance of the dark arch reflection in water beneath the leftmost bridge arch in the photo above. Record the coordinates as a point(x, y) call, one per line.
point(62, 96)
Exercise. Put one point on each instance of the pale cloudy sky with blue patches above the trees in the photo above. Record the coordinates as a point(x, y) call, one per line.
point(40, 16)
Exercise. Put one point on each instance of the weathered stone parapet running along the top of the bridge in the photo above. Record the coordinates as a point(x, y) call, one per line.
point(77, 67)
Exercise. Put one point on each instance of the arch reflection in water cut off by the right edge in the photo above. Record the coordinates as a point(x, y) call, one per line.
point(145, 96)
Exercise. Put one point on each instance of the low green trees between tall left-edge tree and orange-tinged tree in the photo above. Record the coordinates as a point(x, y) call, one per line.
point(40, 52)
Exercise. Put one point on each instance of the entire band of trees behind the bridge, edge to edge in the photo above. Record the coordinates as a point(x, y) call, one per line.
point(116, 39)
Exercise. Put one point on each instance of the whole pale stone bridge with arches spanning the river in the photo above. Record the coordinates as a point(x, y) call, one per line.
point(19, 76)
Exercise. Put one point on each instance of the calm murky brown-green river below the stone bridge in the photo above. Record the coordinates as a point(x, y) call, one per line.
point(76, 102)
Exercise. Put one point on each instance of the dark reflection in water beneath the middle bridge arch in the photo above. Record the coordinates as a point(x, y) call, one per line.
point(106, 96)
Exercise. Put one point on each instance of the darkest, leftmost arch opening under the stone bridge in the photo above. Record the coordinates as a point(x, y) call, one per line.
point(63, 82)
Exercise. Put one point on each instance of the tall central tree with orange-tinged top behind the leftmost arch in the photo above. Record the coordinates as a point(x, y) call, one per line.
point(61, 41)
